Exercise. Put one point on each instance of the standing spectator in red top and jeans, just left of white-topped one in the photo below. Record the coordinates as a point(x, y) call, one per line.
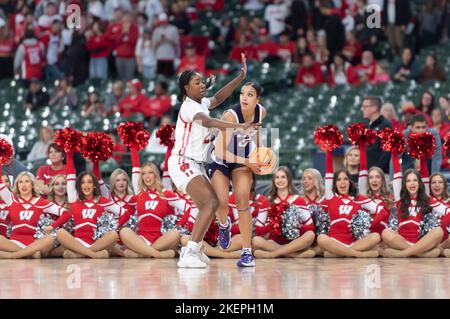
point(125, 48)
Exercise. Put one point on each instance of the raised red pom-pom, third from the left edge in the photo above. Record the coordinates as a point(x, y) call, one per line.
point(97, 146)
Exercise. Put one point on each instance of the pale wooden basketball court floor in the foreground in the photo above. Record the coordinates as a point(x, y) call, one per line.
point(278, 278)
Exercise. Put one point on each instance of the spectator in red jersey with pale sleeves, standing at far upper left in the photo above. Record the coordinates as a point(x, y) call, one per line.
point(29, 60)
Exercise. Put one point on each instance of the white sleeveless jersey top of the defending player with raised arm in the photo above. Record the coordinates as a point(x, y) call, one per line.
point(191, 139)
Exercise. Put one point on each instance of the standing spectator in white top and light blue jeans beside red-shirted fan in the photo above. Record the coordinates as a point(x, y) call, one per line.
point(145, 56)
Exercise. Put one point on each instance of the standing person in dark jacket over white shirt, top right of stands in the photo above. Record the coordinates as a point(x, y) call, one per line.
point(396, 16)
